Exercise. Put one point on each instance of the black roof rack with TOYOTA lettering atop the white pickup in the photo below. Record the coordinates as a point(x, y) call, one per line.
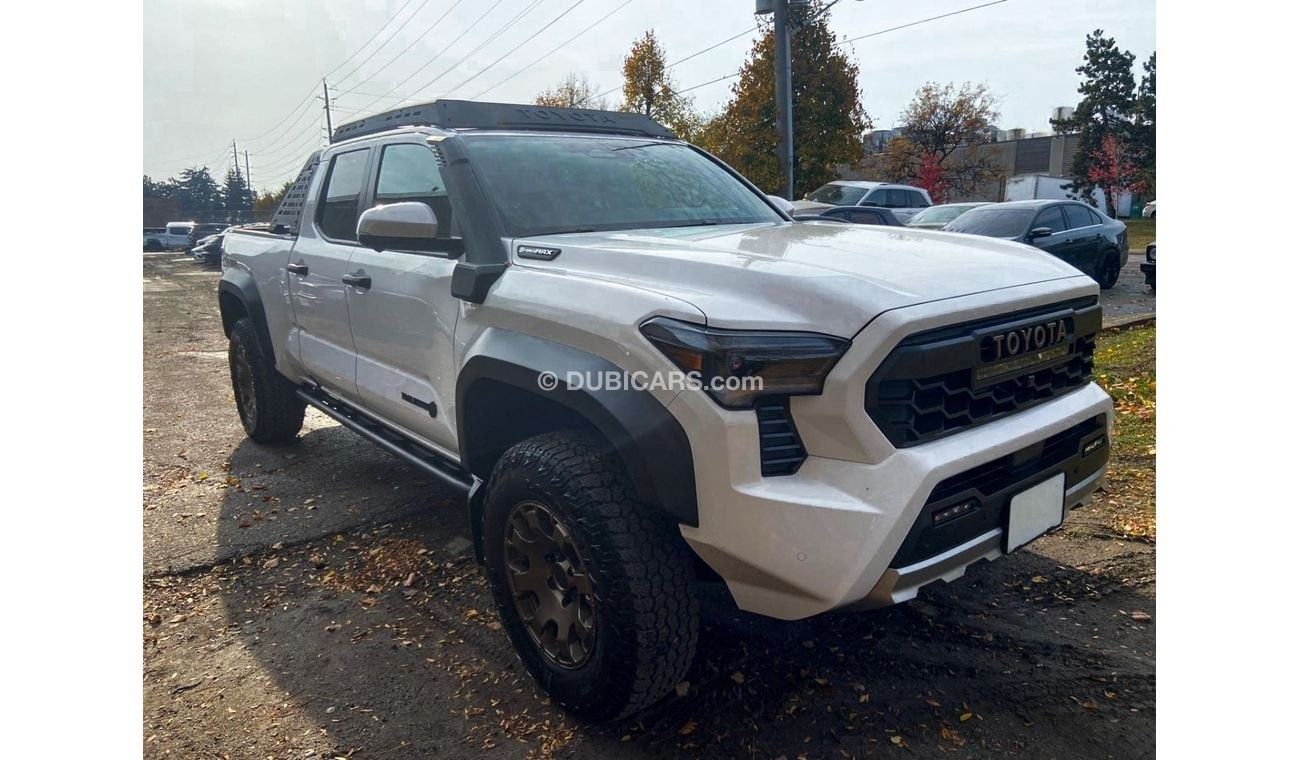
point(456, 115)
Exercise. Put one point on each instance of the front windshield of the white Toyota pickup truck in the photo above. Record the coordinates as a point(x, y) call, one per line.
point(561, 184)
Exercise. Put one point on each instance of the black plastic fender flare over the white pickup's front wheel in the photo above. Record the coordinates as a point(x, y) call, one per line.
point(648, 438)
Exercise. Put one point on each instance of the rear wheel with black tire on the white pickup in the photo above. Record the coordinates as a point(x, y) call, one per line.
point(268, 406)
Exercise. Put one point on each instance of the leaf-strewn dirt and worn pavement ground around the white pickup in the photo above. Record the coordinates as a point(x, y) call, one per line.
point(320, 601)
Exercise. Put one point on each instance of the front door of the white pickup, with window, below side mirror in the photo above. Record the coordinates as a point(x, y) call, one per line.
point(405, 322)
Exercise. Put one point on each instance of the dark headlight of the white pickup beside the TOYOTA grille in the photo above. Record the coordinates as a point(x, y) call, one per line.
point(738, 367)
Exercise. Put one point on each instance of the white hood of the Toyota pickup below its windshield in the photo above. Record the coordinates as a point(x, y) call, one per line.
point(827, 279)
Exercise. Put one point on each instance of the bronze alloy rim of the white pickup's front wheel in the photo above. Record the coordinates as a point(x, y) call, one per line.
point(549, 584)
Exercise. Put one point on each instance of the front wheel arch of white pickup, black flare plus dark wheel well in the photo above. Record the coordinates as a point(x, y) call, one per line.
point(500, 403)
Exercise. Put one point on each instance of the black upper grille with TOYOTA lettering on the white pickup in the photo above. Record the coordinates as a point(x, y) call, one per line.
point(930, 386)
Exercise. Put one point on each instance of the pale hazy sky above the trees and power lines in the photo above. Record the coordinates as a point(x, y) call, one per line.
point(249, 72)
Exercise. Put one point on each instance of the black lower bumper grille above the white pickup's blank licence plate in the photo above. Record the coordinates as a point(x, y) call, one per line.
point(991, 487)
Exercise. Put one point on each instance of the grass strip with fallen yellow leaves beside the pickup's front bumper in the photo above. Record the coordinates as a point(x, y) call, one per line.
point(1126, 368)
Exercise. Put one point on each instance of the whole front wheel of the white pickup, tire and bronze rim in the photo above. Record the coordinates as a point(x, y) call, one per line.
point(593, 589)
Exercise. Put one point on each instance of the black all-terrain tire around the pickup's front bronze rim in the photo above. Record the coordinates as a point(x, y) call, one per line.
point(647, 615)
